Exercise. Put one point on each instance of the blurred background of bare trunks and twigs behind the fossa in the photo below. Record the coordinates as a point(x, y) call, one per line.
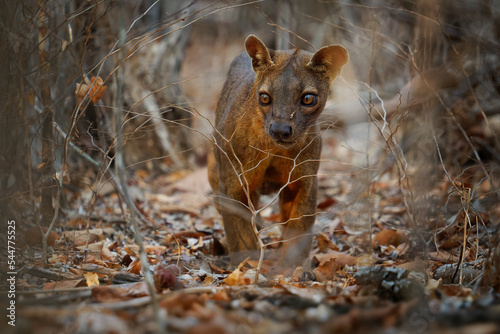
point(418, 102)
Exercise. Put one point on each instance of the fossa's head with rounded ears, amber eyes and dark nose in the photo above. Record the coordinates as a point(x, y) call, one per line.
point(291, 87)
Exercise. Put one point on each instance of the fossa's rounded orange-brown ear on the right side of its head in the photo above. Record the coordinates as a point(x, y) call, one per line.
point(329, 60)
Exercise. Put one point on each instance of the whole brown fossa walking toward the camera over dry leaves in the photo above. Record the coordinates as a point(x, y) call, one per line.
point(267, 139)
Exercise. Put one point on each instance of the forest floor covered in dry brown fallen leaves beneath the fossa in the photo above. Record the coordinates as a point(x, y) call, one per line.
point(359, 278)
